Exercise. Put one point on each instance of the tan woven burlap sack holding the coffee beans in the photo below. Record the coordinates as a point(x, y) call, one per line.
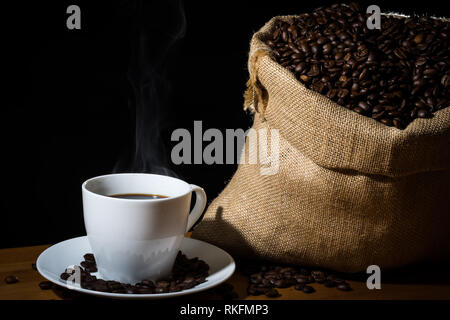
point(350, 192)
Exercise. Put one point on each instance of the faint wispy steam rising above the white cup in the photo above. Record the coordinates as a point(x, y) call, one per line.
point(157, 29)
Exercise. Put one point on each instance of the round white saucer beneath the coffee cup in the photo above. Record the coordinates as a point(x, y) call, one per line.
point(54, 260)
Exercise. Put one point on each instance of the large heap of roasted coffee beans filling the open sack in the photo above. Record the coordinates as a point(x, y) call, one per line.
point(393, 75)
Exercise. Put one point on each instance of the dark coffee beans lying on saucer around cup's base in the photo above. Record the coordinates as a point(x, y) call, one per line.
point(186, 274)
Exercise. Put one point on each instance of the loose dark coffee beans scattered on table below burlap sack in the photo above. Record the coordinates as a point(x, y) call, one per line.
point(265, 279)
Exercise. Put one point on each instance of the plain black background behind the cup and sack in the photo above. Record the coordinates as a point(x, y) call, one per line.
point(67, 111)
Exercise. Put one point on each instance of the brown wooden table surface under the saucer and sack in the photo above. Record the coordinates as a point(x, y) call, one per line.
point(18, 262)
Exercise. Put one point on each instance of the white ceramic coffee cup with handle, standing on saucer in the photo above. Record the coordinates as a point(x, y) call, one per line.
point(131, 239)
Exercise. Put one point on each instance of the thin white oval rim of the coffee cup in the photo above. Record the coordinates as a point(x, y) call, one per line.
point(83, 187)
